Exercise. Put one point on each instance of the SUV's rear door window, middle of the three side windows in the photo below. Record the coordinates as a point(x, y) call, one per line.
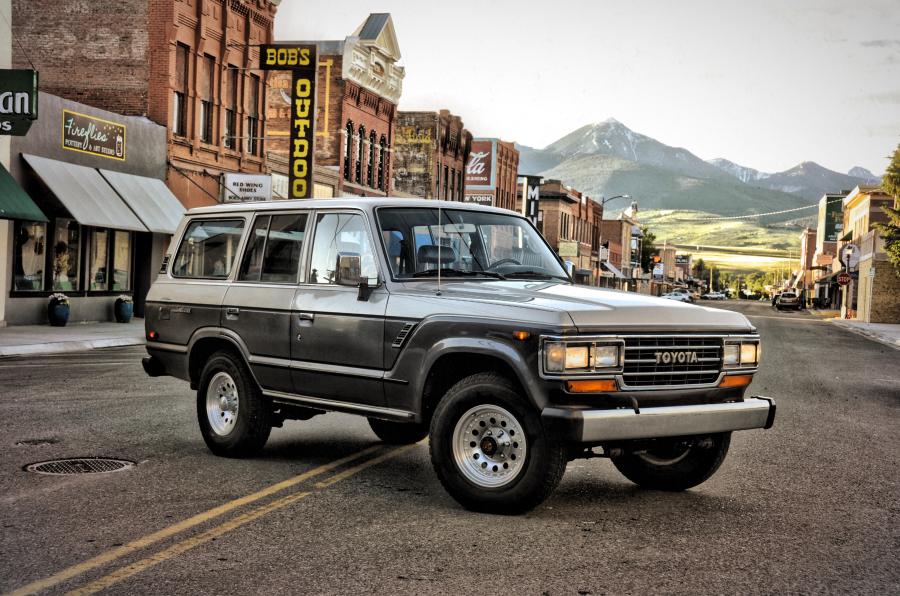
point(273, 250)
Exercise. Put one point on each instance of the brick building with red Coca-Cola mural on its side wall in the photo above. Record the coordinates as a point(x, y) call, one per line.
point(491, 173)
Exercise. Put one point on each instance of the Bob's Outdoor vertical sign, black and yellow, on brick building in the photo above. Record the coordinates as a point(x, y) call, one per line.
point(301, 60)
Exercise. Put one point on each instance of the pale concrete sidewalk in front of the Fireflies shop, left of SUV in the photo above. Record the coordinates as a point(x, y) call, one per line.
point(75, 337)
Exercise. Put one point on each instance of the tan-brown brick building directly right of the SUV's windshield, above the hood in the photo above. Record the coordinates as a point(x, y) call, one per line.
point(570, 222)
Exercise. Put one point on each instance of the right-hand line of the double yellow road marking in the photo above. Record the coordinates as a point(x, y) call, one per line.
point(194, 541)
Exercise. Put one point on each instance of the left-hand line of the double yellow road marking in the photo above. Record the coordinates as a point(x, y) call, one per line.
point(127, 549)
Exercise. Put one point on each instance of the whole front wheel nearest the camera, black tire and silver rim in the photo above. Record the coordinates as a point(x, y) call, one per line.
point(489, 449)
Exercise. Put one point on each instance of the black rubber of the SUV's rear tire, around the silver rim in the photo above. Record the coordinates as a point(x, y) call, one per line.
point(252, 421)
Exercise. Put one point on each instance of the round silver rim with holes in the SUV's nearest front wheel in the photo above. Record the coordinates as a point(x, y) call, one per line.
point(489, 446)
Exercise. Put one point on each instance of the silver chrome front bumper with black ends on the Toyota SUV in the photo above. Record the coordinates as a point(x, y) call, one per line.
point(585, 425)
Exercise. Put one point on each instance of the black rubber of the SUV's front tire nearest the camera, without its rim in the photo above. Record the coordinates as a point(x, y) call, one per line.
point(538, 473)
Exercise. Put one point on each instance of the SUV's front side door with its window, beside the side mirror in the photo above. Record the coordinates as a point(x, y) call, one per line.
point(337, 338)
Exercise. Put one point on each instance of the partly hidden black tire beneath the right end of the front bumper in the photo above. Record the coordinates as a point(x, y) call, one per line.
point(685, 471)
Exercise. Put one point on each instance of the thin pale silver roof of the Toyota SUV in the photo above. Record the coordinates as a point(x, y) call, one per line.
point(344, 202)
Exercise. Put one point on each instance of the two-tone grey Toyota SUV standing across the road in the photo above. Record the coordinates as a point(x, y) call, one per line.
point(452, 321)
